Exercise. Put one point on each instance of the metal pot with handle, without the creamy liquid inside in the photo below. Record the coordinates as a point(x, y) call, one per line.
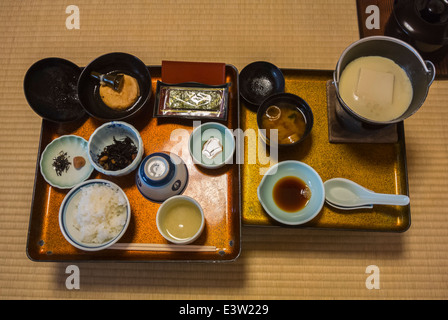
point(420, 72)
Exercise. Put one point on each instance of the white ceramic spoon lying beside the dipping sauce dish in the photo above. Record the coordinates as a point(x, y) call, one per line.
point(346, 194)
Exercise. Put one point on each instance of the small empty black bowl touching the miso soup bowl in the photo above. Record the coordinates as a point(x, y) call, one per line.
point(259, 80)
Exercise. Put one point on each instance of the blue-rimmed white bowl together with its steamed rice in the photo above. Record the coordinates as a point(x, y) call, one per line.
point(94, 215)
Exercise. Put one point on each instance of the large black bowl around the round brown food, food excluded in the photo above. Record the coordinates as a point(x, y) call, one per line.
point(116, 62)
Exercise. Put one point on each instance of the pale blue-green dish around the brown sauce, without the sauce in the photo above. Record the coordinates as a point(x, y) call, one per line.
point(302, 171)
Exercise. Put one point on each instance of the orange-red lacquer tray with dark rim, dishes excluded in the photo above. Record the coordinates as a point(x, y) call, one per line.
point(217, 191)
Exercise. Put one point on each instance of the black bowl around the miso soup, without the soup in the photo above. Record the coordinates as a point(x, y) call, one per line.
point(287, 99)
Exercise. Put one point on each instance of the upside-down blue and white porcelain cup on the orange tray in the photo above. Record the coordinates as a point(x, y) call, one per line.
point(161, 175)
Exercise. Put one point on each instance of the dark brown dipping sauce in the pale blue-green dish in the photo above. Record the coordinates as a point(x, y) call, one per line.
point(291, 194)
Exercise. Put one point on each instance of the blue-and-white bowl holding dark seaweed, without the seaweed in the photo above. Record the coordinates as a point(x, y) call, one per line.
point(103, 136)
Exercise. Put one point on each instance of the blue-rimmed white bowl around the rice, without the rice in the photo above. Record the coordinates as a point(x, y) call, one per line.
point(68, 210)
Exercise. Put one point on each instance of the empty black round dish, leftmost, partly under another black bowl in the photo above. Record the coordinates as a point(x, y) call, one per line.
point(50, 90)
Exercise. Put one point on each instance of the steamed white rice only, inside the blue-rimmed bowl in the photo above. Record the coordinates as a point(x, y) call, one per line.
point(101, 213)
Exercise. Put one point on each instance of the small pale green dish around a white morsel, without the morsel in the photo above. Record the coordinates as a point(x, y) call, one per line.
point(201, 135)
